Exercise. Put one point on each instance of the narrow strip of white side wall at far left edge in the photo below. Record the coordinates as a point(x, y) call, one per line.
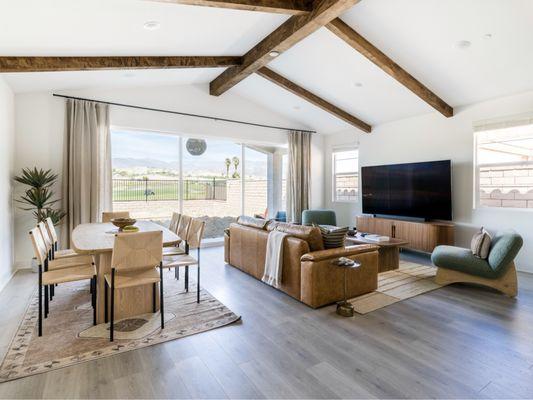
point(7, 145)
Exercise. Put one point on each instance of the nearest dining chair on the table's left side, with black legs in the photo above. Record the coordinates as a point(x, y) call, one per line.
point(52, 272)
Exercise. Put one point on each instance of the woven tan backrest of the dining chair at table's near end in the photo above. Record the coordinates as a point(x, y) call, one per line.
point(141, 250)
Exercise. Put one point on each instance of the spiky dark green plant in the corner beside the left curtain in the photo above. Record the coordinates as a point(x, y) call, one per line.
point(39, 198)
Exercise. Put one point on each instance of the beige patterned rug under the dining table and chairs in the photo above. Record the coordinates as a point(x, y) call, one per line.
point(69, 336)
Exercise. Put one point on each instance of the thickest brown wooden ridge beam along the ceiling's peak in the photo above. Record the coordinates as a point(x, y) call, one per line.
point(283, 38)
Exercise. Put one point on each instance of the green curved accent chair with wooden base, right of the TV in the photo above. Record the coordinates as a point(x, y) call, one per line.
point(456, 264)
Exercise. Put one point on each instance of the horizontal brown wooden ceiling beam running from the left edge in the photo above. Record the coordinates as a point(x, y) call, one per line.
point(47, 64)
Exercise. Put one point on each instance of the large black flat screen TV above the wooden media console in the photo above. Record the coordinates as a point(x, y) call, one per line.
point(419, 190)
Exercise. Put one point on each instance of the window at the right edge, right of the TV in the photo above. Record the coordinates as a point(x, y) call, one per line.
point(504, 167)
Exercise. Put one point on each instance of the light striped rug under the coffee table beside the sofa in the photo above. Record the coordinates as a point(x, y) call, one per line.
point(410, 280)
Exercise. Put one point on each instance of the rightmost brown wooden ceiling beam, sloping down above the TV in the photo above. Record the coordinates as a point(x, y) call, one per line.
point(367, 49)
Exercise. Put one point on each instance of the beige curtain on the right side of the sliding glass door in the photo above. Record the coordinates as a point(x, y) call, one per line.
point(298, 180)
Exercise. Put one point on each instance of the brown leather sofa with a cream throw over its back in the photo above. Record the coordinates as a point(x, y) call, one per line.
point(307, 273)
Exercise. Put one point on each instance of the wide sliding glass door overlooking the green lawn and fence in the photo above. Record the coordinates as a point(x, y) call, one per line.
point(155, 174)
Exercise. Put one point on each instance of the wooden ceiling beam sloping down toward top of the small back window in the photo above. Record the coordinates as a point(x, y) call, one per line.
point(313, 99)
